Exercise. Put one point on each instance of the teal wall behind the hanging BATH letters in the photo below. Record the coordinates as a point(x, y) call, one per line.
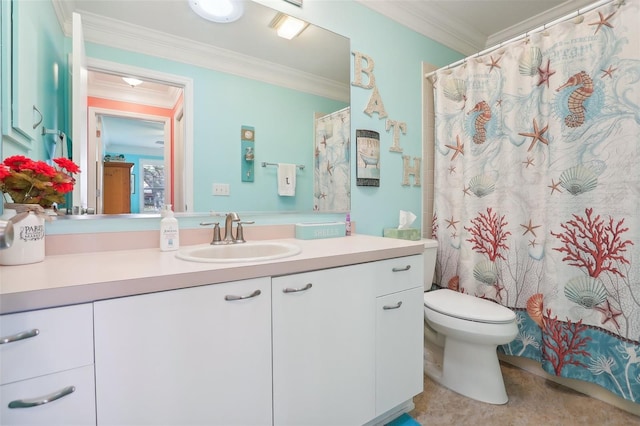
point(398, 53)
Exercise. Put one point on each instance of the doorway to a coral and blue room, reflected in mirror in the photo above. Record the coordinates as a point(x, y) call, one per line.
point(136, 123)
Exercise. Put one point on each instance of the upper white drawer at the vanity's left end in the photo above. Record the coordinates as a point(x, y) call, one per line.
point(45, 341)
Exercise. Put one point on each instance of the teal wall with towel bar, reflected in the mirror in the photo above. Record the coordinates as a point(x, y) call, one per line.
point(223, 103)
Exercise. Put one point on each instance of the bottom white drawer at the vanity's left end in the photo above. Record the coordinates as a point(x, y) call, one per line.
point(75, 407)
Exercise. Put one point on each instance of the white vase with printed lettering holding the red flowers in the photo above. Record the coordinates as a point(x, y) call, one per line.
point(28, 240)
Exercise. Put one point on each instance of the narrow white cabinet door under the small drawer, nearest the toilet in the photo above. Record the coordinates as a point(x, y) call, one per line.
point(399, 347)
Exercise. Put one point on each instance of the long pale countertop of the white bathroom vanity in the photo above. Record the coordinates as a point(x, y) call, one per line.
point(87, 277)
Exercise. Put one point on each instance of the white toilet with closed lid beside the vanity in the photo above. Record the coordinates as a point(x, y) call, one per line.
point(462, 333)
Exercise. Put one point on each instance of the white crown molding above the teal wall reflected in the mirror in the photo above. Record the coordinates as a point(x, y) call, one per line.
point(121, 35)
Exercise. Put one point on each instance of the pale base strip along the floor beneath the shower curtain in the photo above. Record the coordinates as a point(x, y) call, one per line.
point(589, 389)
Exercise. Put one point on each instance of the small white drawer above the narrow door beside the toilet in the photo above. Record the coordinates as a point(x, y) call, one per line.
point(393, 275)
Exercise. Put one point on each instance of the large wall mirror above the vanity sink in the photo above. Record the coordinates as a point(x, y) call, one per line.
point(238, 74)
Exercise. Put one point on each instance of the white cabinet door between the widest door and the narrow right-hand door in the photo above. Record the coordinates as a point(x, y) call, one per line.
point(323, 347)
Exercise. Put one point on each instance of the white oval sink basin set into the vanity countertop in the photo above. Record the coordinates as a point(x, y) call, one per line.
point(253, 251)
